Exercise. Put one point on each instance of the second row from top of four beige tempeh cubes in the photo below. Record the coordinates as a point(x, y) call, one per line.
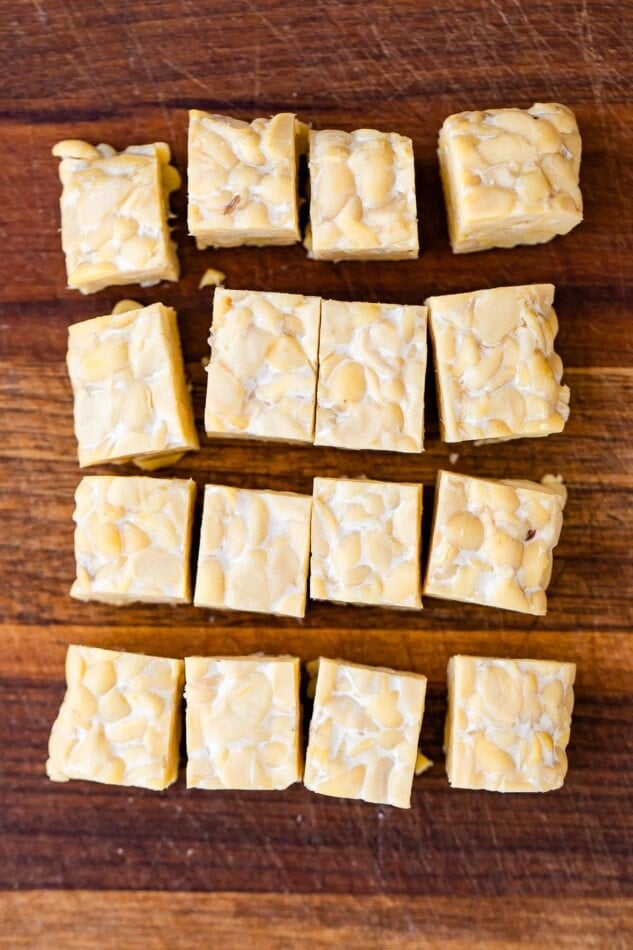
point(294, 368)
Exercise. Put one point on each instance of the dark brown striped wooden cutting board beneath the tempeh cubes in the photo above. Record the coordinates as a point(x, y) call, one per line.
point(86, 865)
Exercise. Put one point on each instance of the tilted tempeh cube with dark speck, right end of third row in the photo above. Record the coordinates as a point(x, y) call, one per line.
point(492, 542)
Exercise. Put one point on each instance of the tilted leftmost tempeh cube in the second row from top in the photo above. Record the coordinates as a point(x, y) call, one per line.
point(128, 379)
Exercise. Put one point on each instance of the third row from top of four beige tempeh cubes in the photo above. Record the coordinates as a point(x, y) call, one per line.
point(360, 540)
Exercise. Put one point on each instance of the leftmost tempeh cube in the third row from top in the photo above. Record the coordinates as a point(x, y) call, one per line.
point(133, 539)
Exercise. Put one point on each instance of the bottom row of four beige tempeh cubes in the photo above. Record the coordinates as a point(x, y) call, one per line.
point(507, 726)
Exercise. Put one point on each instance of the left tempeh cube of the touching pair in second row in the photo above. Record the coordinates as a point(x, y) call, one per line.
point(262, 374)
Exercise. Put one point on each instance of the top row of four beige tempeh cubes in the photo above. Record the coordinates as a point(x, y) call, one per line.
point(510, 177)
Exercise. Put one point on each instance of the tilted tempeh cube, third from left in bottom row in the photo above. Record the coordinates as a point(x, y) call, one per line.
point(364, 733)
